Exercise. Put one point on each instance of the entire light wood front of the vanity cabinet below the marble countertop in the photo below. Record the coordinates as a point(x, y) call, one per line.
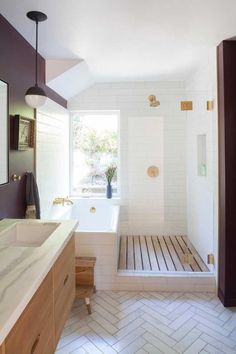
point(38, 329)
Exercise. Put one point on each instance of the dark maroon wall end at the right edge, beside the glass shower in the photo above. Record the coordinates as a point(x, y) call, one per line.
point(227, 171)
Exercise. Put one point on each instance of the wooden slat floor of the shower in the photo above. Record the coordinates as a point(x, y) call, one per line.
point(159, 254)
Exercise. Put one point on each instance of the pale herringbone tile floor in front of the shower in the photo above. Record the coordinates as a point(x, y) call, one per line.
point(150, 322)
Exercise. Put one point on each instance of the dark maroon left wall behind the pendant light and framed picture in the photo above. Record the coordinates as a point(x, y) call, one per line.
point(17, 68)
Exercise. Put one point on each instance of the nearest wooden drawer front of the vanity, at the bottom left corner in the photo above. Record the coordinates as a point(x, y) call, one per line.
point(33, 332)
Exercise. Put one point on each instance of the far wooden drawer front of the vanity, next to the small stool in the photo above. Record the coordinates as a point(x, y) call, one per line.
point(64, 283)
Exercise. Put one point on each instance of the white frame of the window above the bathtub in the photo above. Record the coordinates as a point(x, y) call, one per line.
point(94, 112)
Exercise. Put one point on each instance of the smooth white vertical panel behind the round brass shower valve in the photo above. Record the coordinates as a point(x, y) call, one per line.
point(145, 194)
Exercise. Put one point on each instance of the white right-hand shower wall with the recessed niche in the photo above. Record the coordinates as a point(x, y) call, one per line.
point(202, 191)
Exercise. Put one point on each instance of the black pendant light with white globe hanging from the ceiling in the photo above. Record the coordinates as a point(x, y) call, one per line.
point(35, 96)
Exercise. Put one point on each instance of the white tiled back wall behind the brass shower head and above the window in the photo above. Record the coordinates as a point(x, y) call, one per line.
point(139, 214)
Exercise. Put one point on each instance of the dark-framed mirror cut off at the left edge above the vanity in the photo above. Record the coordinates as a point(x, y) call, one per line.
point(4, 151)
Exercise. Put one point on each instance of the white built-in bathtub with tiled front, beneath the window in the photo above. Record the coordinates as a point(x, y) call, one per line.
point(97, 234)
